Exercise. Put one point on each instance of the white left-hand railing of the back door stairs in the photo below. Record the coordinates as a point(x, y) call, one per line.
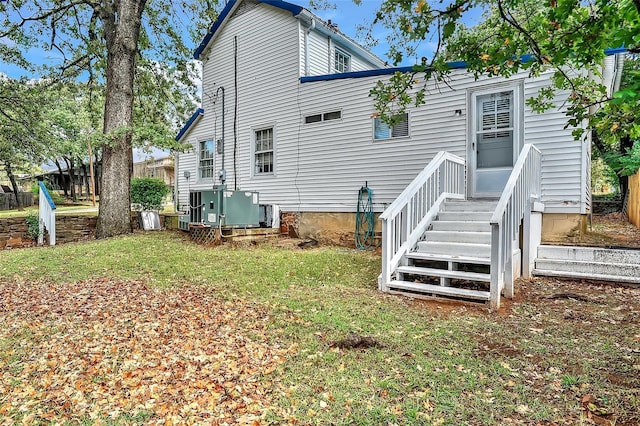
point(406, 219)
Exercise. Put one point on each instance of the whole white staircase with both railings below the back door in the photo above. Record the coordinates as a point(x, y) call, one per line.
point(436, 243)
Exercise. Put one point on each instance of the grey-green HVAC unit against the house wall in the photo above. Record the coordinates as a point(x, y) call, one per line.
point(222, 207)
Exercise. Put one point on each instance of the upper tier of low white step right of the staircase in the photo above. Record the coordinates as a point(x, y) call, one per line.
point(589, 254)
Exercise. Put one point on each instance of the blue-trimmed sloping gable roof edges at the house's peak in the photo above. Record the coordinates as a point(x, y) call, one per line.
point(296, 11)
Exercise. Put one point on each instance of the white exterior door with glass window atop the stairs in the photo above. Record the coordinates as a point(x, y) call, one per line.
point(494, 140)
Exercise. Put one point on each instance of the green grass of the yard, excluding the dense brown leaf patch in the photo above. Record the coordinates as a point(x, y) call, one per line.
point(437, 365)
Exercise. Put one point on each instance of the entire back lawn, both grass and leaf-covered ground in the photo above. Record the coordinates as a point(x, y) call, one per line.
point(152, 329)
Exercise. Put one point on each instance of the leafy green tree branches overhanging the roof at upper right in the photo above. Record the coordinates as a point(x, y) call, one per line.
point(561, 35)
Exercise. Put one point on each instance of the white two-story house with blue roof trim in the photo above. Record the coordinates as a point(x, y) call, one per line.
point(287, 113)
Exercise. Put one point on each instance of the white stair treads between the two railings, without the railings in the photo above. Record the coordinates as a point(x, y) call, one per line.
point(453, 258)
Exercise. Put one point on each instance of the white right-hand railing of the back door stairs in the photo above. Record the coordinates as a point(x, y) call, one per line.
point(523, 186)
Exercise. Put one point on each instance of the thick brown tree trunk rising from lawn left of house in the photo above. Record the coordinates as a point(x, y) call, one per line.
point(121, 32)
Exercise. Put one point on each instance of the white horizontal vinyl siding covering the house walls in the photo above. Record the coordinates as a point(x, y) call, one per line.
point(323, 170)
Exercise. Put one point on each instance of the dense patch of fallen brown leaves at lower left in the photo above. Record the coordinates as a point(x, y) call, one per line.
point(122, 351)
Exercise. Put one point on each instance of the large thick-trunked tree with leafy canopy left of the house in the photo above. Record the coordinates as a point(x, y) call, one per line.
point(106, 41)
